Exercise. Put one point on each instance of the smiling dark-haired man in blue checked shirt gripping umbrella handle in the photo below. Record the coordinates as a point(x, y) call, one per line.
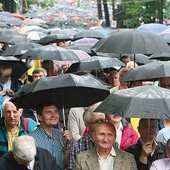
point(48, 136)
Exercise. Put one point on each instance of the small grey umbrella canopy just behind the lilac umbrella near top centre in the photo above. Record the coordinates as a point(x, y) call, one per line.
point(88, 34)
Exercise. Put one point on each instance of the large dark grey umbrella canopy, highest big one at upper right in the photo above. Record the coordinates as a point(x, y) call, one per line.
point(133, 42)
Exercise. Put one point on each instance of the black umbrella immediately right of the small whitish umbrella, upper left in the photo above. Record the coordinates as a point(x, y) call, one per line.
point(54, 38)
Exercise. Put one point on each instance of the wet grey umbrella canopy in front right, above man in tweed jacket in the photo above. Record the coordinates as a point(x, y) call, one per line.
point(142, 102)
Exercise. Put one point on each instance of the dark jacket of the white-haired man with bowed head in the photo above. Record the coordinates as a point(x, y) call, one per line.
point(43, 161)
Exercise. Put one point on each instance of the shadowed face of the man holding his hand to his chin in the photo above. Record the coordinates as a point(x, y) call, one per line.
point(148, 130)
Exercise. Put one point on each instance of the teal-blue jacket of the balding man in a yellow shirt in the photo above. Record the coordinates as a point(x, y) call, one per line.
point(4, 135)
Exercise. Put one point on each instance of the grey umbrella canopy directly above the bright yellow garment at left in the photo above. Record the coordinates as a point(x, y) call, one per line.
point(50, 52)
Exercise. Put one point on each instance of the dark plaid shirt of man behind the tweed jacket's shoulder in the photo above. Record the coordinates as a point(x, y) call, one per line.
point(83, 144)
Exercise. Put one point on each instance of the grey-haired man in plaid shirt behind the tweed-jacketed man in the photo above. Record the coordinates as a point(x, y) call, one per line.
point(86, 142)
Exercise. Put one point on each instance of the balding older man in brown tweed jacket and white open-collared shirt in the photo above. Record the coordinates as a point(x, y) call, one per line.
point(104, 156)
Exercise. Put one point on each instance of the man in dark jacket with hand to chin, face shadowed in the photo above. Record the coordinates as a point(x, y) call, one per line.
point(147, 150)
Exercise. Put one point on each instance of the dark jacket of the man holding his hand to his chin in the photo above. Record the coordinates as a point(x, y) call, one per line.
point(136, 150)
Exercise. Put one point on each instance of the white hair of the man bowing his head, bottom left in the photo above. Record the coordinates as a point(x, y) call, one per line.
point(24, 147)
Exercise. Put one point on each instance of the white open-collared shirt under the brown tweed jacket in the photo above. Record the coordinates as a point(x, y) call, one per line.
point(107, 164)
